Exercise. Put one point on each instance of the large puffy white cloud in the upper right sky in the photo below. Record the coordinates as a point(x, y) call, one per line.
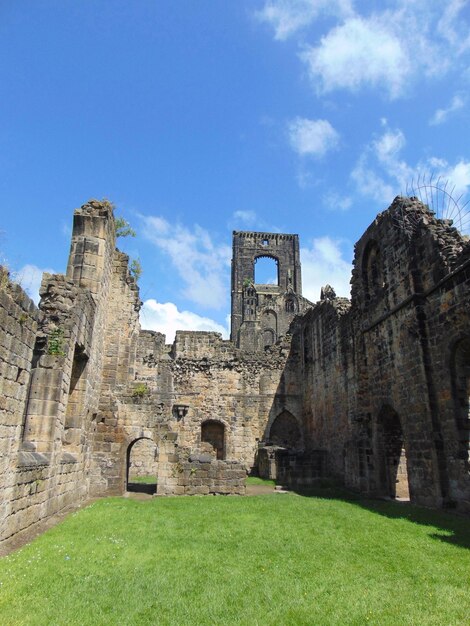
point(357, 53)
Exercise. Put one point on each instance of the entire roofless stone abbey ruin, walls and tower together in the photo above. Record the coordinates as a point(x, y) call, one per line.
point(371, 392)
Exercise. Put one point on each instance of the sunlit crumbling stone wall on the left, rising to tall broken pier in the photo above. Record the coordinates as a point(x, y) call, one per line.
point(51, 417)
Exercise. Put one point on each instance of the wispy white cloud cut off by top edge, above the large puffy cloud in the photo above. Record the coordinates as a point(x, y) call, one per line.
point(289, 16)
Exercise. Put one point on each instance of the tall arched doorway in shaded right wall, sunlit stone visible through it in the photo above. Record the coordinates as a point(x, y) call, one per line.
point(393, 470)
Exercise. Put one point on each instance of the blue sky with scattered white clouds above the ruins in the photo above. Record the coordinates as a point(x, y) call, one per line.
point(197, 117)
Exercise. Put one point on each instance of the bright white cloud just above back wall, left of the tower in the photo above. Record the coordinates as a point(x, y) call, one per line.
point(167, 319)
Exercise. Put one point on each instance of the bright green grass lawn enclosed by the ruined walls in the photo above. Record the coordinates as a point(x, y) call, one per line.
point(265, 560)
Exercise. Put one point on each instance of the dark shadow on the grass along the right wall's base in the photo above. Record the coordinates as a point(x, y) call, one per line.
point(455, 527)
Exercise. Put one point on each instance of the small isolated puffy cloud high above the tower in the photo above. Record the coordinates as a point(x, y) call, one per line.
point(312, 137)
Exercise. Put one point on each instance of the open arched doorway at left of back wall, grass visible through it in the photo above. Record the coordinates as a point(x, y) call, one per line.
point(142, 466)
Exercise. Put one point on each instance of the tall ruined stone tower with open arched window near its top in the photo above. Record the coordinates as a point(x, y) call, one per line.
point(261, 313)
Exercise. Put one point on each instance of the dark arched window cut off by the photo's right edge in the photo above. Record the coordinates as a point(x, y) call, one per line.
point(461, 392)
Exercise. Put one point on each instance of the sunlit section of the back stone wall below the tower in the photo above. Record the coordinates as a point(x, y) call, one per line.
point(178, 390)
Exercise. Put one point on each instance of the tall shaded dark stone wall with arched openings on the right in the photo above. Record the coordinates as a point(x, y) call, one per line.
point(386, 375)
